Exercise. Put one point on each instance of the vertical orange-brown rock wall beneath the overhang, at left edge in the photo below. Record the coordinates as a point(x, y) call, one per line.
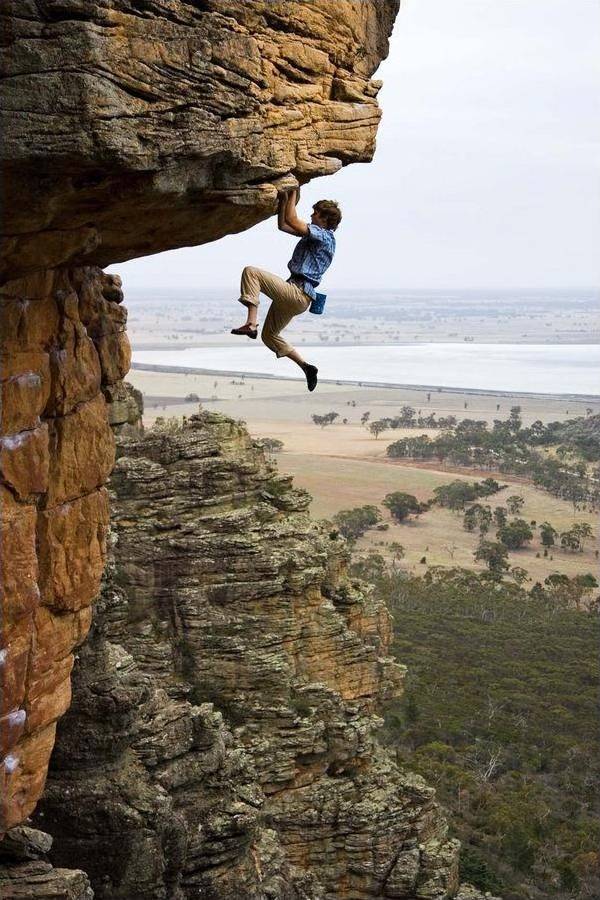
point(56, 452)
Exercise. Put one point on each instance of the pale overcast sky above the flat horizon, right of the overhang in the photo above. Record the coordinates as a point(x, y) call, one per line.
point(487, 165)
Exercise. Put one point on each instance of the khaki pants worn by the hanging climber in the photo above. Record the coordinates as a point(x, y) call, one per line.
point(288, 300)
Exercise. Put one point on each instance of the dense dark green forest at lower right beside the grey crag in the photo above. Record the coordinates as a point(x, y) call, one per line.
point(500, 715)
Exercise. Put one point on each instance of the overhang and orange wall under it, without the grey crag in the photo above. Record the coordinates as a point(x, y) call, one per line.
point(128, 128)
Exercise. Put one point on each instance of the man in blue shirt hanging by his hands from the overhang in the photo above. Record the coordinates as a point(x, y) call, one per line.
point(311, 258)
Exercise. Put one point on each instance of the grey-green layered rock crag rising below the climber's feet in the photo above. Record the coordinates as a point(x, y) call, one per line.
point(222, 737)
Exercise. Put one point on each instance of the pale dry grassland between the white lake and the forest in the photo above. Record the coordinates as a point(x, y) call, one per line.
point(344, 466)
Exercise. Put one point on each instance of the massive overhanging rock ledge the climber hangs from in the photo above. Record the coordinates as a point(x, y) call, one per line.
point(135, 127)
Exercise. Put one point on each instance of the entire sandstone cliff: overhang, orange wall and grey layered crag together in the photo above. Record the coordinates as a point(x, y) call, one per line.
point(222, 738)
